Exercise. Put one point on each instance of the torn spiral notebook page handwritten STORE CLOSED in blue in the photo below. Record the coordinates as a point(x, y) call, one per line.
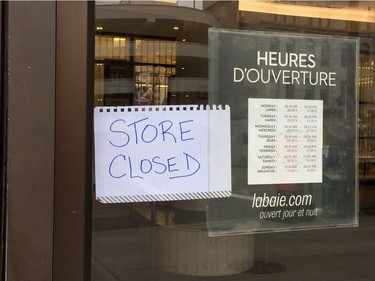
point(162, 153)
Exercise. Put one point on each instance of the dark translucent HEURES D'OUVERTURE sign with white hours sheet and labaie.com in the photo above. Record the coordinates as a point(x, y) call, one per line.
point(293, 100)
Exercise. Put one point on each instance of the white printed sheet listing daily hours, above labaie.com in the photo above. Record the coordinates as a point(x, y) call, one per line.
point(285, 141)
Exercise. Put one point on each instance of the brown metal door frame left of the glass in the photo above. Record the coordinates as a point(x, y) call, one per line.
point(47, 161)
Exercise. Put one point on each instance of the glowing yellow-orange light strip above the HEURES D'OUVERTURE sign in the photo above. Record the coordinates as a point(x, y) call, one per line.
point(344, 13)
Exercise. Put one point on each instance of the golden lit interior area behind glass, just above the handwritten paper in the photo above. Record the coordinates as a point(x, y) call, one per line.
point(120, 81)
